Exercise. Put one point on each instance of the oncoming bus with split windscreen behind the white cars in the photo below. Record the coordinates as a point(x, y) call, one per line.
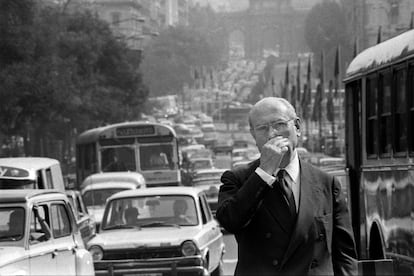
point(145, 147)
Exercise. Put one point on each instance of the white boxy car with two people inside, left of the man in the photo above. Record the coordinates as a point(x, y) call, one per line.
point(158, 231)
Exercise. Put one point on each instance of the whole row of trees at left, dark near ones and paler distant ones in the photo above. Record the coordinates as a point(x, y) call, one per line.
point(63, 72)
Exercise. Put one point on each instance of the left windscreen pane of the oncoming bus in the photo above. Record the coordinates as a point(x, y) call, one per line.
point(118, 159)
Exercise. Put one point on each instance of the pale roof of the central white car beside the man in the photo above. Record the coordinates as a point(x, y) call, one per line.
point(171, 190)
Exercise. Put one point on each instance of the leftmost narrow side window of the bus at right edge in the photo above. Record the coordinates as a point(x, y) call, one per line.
point(372, 113)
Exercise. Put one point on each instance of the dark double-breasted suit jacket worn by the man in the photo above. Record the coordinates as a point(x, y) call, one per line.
point(320, 243)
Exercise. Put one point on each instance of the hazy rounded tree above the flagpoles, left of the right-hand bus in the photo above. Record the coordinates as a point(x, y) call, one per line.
point(325, 28)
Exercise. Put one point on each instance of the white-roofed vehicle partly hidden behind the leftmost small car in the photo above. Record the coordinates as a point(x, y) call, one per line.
point(31, 173)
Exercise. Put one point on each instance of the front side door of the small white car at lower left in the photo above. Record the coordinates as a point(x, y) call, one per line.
point(41, 247)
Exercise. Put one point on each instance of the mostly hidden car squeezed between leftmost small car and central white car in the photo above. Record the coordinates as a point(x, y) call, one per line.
point(85, 222)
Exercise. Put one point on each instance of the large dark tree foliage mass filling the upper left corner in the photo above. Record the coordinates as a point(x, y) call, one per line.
point(61, 71)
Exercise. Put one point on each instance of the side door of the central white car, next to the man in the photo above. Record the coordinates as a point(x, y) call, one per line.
point(212, 232)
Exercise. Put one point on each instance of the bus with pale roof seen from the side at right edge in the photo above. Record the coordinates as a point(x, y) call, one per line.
point(379, 107)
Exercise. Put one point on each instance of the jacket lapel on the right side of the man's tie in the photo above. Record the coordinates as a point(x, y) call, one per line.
point(306, 210)
